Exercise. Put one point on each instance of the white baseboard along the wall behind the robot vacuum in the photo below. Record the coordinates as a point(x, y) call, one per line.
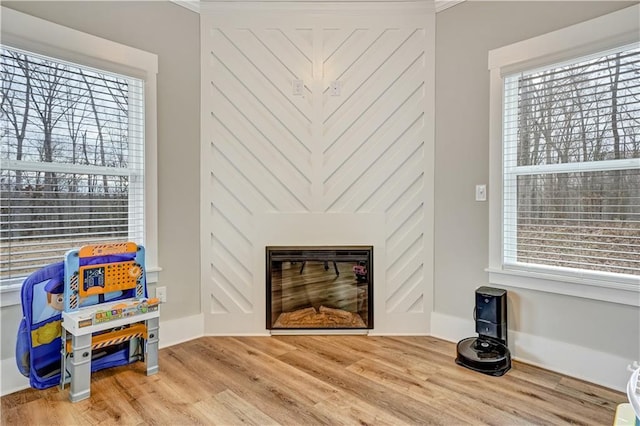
point(597, 367)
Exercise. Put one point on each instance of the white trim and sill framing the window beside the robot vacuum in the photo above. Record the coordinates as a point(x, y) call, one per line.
point(600, 34)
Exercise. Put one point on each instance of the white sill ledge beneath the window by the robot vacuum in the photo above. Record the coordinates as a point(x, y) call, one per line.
point(625, 293)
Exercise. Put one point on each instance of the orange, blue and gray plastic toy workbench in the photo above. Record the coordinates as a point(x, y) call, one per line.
point(117, 268)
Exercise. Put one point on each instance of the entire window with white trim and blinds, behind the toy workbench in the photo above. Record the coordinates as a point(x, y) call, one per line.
point(77, 146)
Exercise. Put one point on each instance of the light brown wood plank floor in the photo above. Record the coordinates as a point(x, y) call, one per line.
point(309, 380)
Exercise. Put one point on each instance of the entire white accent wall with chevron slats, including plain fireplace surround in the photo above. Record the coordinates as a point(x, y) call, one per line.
point(280, 168)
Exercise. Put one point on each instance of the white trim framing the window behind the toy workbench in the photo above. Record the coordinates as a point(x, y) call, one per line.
point(36, 35)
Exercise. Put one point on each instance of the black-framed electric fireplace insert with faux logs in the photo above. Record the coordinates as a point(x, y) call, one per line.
point(321, 288)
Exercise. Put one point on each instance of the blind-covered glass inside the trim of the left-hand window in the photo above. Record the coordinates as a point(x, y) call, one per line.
point(72, 160)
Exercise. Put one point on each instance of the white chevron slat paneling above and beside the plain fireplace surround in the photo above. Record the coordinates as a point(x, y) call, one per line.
point(266, 150)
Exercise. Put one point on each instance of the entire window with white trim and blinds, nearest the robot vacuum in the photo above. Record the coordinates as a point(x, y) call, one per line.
point(568, 143)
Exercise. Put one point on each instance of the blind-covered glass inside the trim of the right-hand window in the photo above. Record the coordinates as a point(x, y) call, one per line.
point(571, 158)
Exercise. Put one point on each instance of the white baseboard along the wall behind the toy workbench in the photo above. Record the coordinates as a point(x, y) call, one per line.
point(172, 332)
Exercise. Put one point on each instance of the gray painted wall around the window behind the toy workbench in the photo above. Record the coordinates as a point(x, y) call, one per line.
point(171, 32)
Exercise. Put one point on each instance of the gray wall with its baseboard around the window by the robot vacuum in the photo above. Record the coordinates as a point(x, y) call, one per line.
point(582, 337)
